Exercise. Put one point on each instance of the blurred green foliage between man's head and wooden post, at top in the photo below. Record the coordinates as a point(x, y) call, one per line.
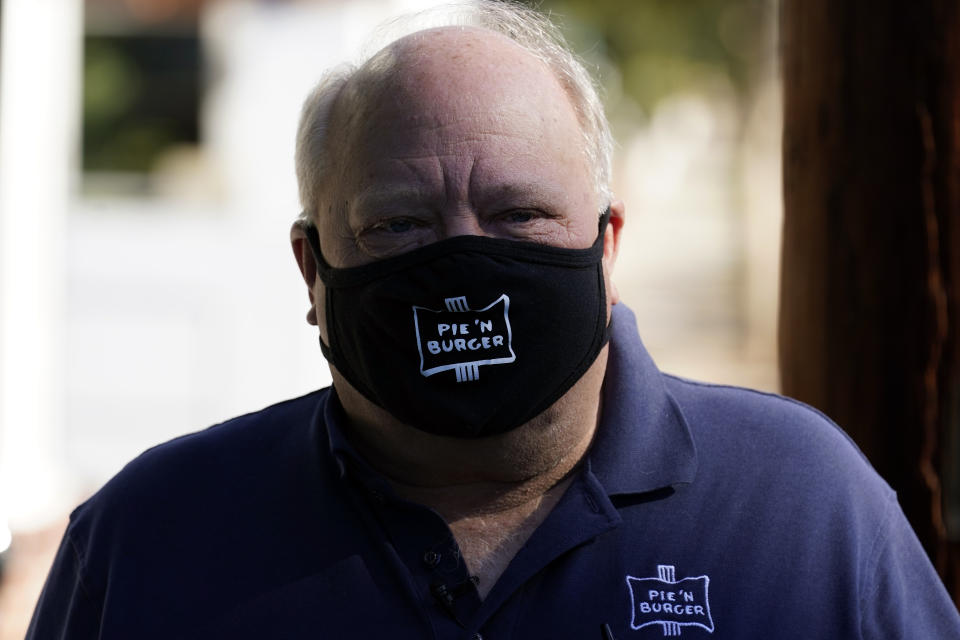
point(659, 47)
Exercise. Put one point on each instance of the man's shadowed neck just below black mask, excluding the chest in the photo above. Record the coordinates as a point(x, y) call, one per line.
point(461, 477)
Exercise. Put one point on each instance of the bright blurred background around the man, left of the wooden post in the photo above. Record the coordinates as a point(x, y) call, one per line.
point(147, 287)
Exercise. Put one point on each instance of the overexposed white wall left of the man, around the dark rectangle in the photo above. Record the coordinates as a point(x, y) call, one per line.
point(128, 321)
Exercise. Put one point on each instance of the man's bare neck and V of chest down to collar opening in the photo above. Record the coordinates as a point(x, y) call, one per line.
point(493, 492)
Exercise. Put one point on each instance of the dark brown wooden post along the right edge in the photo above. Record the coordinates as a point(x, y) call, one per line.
point(870, 301)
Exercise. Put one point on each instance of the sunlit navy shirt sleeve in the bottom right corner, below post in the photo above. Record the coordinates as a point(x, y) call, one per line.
point(903, 597)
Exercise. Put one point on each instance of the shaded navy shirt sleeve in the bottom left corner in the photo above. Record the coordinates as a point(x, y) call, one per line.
point(65, 610)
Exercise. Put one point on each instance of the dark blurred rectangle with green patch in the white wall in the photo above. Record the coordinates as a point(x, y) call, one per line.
point(140, 98)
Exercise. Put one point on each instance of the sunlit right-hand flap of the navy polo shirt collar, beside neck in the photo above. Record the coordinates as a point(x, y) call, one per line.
point(643, 442)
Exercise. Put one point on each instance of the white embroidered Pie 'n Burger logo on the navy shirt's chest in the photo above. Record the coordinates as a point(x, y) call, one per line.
point(671, 603)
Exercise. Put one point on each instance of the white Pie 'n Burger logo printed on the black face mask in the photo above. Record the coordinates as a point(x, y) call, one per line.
point(462, 339)
